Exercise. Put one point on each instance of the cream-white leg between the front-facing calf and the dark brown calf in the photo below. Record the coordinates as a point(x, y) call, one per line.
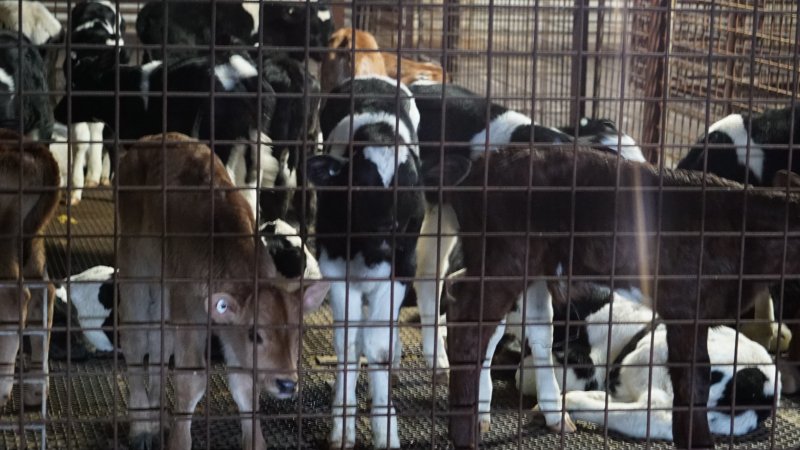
point(432, 265)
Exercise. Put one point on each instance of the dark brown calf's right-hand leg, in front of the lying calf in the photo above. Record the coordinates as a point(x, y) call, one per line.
point(689, 427)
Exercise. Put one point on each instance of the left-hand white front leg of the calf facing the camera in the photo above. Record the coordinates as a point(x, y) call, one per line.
point(346, 305)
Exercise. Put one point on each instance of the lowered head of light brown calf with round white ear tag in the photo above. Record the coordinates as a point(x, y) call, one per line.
point(264, 332)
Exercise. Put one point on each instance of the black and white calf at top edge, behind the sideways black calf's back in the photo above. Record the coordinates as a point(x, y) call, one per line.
point(284, 24)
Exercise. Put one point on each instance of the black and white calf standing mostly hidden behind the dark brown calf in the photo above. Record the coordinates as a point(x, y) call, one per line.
point(463, 115)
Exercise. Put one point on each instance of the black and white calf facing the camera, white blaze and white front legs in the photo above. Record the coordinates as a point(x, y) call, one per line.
point(366, 237)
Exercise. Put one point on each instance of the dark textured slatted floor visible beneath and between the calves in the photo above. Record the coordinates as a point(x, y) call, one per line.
point(87, 400)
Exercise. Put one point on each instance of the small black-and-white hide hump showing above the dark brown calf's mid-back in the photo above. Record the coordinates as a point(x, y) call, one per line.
point(602, 134)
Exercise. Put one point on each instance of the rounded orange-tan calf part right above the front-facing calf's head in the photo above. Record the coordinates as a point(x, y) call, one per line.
point(347, 44)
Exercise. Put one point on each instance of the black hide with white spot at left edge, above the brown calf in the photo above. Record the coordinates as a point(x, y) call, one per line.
point(23, 70)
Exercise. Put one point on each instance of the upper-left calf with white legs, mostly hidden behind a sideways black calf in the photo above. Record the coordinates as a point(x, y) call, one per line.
point(96, 36)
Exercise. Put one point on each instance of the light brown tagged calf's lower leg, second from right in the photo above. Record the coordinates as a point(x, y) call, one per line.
point(190, 385)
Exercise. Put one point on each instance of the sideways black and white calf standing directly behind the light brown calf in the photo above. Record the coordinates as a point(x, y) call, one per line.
point(240, 123)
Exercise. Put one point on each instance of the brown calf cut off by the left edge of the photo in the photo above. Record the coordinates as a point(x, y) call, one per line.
point(29, 180)
